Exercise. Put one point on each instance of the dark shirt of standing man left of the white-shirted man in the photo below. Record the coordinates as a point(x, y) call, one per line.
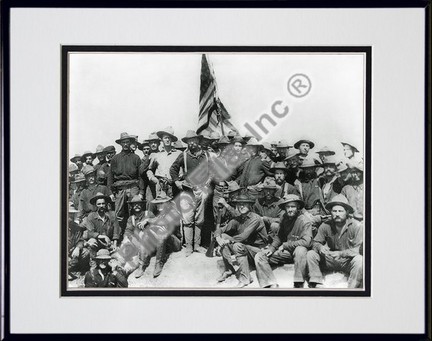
point(124, 166)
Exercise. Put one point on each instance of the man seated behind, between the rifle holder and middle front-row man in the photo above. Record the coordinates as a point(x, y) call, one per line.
point(267, 207)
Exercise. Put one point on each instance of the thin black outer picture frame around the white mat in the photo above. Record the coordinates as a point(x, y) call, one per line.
point(6, 7)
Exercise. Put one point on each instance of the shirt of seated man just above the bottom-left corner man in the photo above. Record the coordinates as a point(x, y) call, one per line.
point(107, 226)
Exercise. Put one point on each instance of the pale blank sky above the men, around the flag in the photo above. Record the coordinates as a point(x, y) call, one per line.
point(140, 93)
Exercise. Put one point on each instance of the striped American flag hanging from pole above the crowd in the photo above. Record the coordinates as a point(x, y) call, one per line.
point(212, 113)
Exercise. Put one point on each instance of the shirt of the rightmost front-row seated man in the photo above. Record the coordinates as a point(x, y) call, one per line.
point(348, 240)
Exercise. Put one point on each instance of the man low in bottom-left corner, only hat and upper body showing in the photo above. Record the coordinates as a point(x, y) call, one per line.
point(107, 272)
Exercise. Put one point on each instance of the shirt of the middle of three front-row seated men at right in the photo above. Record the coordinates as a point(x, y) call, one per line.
point(293, 232)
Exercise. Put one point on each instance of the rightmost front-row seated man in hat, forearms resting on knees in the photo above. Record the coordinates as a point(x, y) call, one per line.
point(337, 245)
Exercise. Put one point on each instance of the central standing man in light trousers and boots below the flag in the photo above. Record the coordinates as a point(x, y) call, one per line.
point(195, 185)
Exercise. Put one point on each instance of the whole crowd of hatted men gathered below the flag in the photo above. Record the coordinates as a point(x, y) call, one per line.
point(266, 204)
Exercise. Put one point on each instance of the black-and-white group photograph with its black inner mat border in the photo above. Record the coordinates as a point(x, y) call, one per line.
point(216, 170)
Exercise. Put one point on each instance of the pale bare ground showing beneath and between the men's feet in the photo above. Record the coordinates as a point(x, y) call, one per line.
point(199, 271)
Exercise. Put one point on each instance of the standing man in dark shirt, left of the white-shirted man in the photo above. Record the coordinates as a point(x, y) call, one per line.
point(123, 177)
